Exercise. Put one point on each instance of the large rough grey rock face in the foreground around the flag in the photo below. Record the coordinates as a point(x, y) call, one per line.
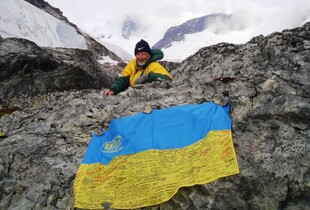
point(267, 82)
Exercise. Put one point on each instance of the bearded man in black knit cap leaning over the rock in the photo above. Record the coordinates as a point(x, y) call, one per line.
point(144, 68)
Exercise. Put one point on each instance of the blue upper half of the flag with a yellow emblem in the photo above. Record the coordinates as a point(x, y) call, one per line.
point(168, 128)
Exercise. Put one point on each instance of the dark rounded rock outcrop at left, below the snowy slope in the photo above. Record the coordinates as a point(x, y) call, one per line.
point(31, 70)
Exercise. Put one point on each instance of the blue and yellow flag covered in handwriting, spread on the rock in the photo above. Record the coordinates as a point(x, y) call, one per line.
point(143, 160)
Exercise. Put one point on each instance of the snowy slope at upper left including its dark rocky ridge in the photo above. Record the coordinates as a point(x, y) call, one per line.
point(37, 21)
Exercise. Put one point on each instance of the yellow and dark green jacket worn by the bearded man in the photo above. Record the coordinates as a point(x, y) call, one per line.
point(133, 71)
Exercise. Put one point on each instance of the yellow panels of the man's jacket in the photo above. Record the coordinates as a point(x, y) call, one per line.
point(135, 72)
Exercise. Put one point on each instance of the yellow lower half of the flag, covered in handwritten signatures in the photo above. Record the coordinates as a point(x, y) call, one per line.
point(154, 176)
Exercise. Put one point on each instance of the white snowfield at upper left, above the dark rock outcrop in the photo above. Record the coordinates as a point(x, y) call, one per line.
point(21, 19)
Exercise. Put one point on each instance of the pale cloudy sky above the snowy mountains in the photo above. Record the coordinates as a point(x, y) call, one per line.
point(106, 16)
